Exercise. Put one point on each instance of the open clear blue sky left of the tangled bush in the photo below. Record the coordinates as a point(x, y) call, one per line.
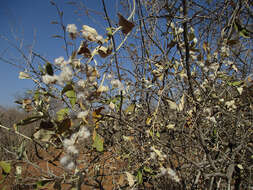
point(31, 20)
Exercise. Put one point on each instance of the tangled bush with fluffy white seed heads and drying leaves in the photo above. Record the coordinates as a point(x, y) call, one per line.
point(166, 91)
